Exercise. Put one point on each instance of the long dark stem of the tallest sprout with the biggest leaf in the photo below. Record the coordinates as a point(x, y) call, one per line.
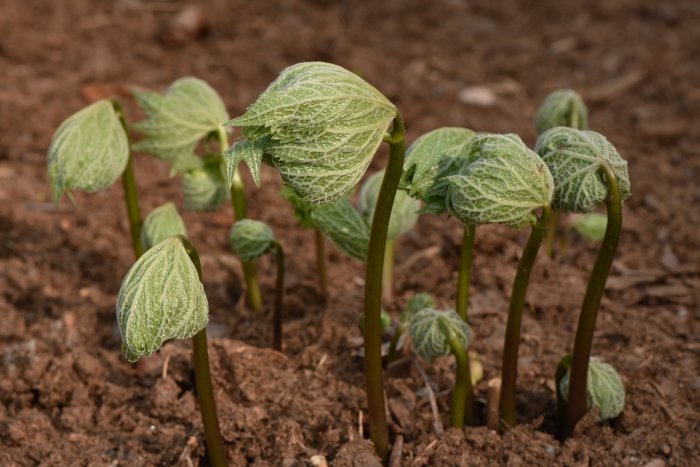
point(378, 428)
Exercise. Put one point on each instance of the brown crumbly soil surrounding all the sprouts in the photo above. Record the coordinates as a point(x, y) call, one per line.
point(69, 398)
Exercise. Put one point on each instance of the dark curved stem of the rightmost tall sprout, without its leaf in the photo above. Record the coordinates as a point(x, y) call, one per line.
point(591, 303)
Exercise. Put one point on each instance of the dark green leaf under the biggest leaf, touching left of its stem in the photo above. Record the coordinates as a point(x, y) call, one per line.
point(344, 226)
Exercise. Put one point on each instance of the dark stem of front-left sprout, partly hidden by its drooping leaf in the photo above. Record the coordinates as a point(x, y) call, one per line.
point(205, 394)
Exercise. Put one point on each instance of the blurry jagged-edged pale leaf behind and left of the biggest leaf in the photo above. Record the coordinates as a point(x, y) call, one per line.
point(178, 120)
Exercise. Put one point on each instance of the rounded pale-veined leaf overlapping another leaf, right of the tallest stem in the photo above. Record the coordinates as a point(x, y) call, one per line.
point(503, 184)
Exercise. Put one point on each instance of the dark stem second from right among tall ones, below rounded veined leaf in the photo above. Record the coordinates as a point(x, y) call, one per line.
point(509, 372)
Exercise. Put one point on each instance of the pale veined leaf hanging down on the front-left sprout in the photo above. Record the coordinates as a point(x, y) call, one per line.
point(161, 298)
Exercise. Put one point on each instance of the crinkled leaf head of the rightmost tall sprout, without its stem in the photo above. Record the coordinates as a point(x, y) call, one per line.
point(575, 159)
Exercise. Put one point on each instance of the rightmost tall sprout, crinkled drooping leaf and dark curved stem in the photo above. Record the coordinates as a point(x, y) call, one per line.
point(587, 171)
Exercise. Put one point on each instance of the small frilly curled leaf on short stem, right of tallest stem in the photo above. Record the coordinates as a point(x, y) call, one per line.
point(430, 329)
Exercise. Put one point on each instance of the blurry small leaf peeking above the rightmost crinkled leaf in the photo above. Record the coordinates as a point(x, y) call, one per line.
point(563, 107)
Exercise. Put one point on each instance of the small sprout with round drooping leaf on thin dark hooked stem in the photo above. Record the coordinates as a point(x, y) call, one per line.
point(250, 239)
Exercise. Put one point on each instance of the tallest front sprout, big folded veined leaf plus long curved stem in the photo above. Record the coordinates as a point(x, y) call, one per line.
point(320, 126)
